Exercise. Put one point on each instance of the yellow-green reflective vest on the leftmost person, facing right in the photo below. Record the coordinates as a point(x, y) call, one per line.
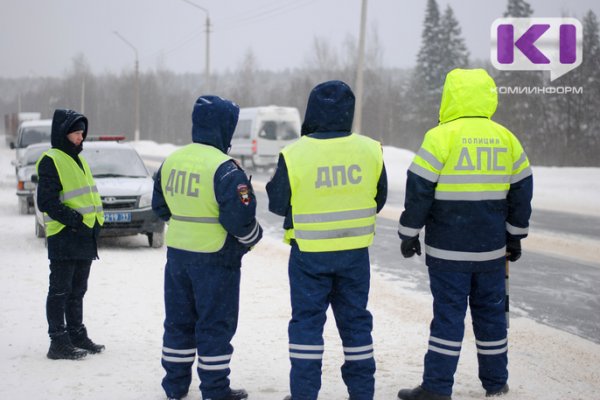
point(78, 192)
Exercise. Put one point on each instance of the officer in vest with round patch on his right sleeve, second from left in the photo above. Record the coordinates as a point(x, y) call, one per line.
point(211, 207)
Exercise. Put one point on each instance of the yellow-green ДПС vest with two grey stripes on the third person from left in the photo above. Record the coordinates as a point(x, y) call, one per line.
point(333, 186)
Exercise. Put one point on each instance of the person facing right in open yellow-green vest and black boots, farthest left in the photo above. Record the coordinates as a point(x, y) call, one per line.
point(69, 199)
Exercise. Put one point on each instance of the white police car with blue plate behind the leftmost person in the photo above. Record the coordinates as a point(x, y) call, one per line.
point(125, 187)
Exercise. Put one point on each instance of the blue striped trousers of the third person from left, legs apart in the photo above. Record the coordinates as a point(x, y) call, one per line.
point(317, 280)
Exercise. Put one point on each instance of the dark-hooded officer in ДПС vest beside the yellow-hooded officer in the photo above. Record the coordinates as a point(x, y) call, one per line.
point(329, 186)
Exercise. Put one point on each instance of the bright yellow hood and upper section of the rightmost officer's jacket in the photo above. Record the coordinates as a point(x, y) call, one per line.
point(470, 157)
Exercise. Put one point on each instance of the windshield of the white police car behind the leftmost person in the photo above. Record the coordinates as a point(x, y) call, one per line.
point(107, 162)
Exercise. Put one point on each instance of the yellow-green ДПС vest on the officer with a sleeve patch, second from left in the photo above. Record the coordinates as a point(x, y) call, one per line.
point(187, 178)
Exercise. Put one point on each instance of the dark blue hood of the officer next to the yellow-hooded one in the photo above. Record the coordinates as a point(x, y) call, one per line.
point(330, 108)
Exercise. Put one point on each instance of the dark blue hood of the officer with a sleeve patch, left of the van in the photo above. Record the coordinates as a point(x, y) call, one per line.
point(213, 121)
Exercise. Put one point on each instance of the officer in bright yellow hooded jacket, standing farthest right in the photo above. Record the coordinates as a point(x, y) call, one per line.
point(470, 185)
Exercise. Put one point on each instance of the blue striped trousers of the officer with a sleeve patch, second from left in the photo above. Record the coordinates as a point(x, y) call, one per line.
point(201, 315)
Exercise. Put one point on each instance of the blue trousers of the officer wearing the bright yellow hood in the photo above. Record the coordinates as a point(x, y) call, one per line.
point(485, 293)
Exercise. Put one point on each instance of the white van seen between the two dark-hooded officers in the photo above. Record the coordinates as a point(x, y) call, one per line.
point(262, 132)
